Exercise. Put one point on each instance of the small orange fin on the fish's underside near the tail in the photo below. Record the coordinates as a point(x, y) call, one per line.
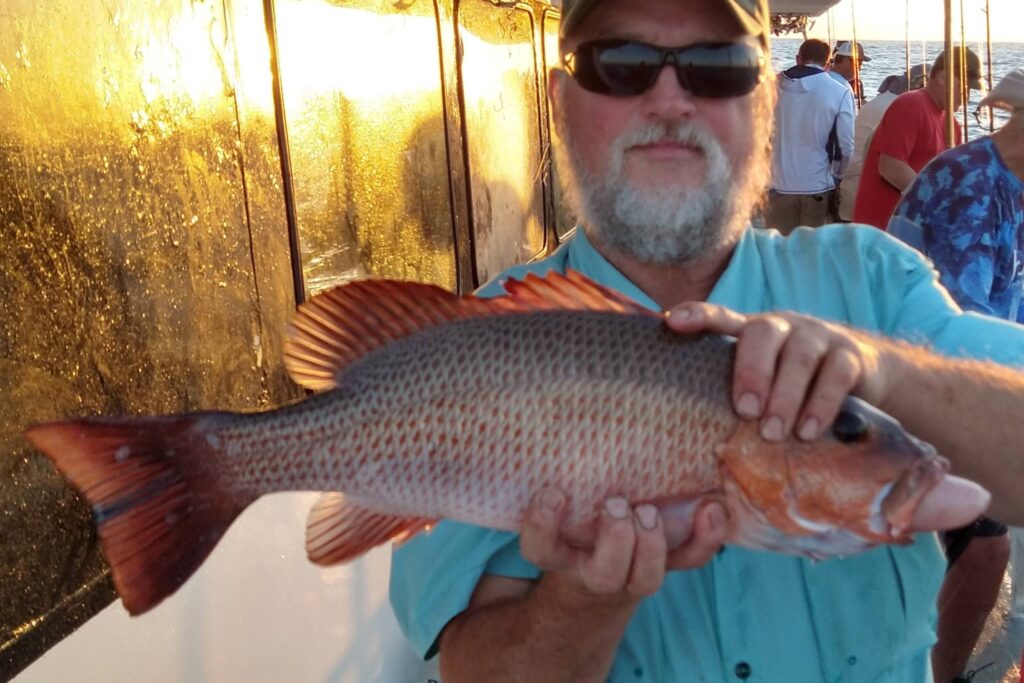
point(340, 530)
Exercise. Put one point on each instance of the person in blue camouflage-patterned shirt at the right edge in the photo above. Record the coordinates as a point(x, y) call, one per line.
point(966, 212)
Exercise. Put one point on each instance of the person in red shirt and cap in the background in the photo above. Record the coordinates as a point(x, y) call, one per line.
point(912, 134)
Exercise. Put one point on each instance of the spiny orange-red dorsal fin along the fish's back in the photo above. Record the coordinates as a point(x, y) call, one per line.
point(343, 325)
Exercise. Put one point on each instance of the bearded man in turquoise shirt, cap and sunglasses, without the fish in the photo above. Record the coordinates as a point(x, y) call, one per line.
point(663, 115)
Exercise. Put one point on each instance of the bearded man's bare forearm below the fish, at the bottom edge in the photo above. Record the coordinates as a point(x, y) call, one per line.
point(552, 634)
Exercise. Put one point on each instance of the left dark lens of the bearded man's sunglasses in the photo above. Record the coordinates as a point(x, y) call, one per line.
point(618, 68)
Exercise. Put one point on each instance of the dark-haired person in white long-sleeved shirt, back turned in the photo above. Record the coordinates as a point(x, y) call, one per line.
point(814, 142)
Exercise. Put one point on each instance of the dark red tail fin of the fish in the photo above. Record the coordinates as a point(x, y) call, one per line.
point(152, 489)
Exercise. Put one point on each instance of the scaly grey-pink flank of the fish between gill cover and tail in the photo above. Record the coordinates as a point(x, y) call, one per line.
point(387, 413)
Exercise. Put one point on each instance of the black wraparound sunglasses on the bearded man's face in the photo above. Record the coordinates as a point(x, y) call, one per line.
point(629, 68)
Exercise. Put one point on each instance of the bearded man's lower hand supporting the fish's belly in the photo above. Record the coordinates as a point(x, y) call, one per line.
point(630, 553)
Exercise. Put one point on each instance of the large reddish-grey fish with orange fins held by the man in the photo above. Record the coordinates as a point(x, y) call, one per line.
point(428, 406)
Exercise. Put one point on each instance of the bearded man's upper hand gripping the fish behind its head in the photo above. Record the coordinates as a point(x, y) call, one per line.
point(792, 372)
